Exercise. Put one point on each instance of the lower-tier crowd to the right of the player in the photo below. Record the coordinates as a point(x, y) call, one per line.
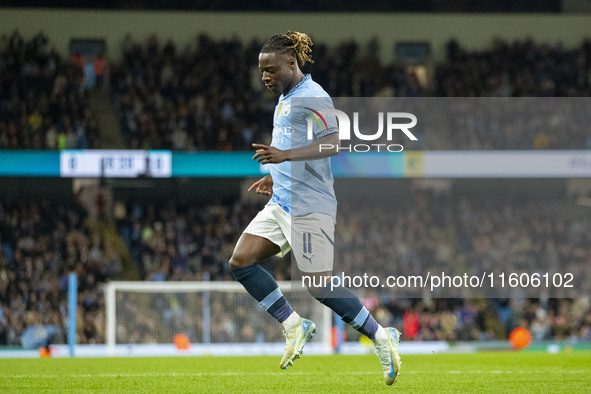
point(458, 233)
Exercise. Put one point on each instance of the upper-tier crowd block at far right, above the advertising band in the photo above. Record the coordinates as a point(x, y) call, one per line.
point(517, 69)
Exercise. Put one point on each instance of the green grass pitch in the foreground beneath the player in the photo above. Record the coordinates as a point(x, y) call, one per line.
point(481, 372)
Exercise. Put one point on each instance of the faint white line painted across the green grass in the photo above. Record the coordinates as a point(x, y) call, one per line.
point(201, 374)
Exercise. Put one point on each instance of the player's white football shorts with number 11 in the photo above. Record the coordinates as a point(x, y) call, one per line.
point(311, 237)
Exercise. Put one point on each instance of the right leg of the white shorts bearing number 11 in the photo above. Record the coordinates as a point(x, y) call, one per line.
point(312, 243)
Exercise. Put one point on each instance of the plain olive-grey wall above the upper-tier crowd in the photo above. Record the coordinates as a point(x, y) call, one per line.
point(471, 30)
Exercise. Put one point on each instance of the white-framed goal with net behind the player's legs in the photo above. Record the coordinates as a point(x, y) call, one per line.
point(211, 314)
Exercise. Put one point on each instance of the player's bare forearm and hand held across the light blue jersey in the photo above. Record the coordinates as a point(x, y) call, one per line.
point(326, 146)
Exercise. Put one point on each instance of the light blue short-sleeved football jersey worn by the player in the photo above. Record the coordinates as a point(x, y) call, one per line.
point(303, 187)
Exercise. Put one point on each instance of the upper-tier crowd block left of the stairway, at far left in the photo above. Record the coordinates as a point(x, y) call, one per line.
point(43, 99)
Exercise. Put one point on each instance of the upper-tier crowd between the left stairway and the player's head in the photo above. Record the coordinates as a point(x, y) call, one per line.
point(188, 100)
